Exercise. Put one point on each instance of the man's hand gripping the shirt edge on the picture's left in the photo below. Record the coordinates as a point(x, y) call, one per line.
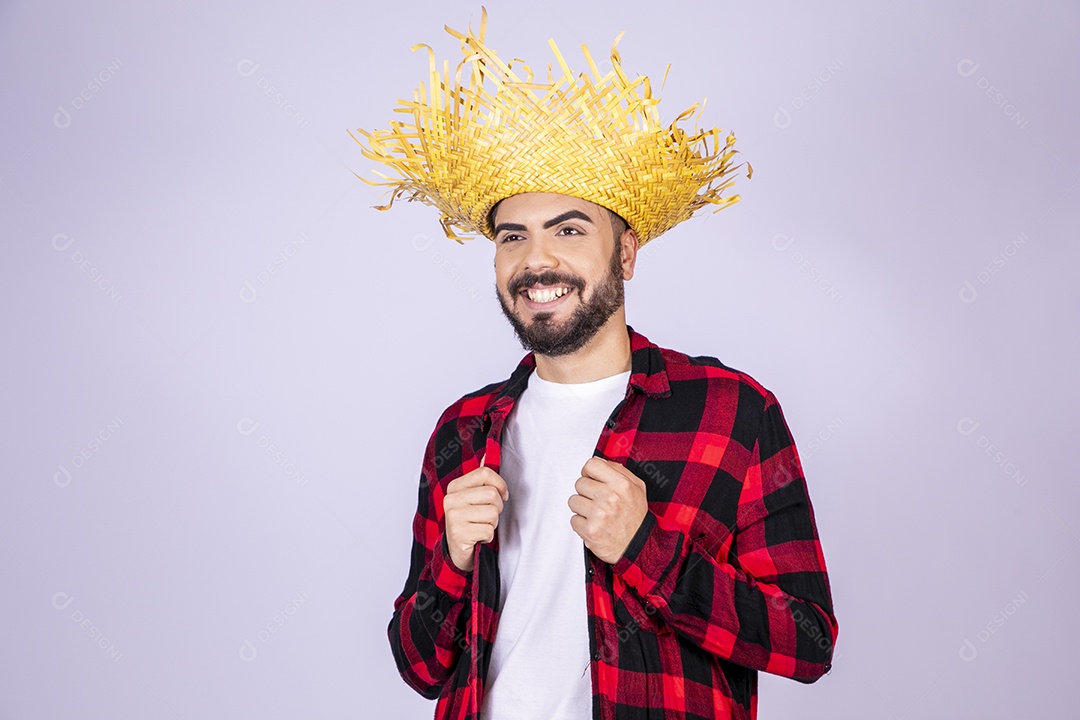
point(472, 507)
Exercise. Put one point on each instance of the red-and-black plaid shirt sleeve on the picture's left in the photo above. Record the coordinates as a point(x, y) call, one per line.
point(429, 628)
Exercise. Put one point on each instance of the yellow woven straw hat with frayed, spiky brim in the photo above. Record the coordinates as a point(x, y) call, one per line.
point(488, 133)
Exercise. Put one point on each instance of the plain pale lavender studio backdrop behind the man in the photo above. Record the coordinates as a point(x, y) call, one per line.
point(221, 365)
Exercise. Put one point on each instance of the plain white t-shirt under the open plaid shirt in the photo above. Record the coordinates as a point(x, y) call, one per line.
point(541, 660)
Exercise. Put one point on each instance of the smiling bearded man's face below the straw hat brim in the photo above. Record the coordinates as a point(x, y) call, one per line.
point(559, 269)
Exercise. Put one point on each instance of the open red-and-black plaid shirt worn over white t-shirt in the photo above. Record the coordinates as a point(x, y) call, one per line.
point(724, 578)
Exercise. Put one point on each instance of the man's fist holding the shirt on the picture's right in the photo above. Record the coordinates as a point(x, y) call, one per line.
point(610, 507)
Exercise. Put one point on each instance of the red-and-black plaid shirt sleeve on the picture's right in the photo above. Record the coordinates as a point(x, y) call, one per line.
point(764, 602)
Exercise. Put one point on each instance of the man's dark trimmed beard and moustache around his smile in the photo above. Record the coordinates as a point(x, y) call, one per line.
point(548, 337)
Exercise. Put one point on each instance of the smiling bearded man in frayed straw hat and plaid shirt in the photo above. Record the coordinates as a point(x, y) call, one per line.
point(617, 531)
